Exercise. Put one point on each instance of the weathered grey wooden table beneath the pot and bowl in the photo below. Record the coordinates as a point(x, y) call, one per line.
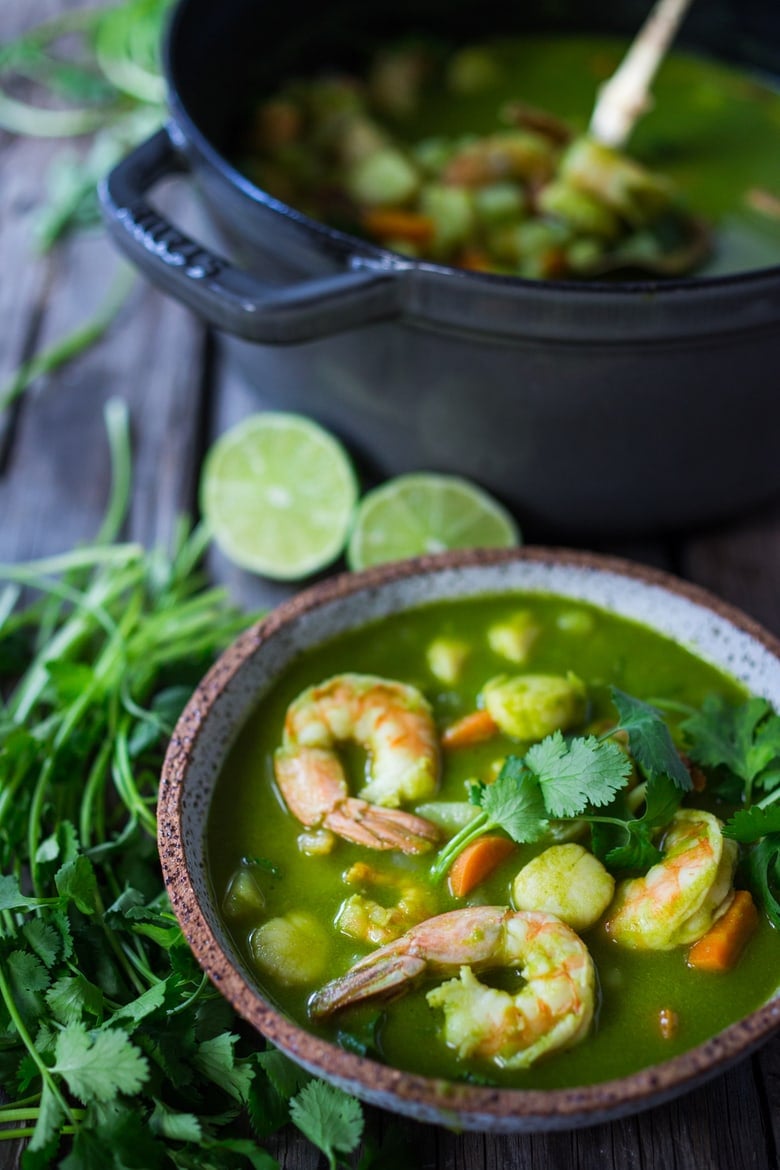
point(54, 471)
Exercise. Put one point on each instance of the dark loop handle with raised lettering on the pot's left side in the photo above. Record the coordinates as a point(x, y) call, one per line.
point(226, 297)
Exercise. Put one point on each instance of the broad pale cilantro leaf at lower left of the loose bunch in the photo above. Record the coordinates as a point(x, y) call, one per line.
point(99, 1065)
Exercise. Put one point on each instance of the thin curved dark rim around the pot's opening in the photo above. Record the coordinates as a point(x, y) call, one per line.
point(358, 251)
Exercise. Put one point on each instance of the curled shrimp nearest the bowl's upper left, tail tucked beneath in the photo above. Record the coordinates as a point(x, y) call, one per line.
point(395, 724)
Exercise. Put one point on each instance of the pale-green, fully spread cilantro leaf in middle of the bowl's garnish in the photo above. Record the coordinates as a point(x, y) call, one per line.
point(577, 773)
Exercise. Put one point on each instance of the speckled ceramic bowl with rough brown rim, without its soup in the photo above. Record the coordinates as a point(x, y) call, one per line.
point(226, 699)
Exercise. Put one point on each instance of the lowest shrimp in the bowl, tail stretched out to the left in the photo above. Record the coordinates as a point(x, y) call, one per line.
point(553, 1010)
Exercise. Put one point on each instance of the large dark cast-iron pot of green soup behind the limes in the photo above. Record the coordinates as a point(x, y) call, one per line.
point(590, 400)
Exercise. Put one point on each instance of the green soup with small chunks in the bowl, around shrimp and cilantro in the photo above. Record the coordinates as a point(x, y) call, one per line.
point(267, 869)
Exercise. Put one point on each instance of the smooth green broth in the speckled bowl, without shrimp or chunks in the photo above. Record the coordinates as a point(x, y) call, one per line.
point(249, 820)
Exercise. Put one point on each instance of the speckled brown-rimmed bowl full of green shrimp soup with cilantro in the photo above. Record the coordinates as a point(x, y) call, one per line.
point(475, 837)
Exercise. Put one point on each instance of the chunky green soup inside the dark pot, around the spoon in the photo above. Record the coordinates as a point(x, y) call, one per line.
point(444, 160)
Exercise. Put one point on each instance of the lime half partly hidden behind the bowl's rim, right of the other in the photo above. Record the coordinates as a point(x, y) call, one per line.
point(427, 513)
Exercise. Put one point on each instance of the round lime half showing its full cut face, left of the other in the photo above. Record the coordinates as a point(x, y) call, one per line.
point(279, 493)
